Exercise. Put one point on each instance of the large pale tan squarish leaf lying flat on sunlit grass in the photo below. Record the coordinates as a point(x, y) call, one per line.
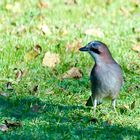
point(50, 59)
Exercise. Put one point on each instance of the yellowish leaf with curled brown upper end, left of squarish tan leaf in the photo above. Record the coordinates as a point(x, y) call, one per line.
point(33, 53)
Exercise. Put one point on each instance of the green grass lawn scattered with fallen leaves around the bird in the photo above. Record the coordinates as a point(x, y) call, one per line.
point(48, 106)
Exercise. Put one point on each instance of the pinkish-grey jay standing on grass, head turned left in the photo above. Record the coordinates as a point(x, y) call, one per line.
point(106, 76)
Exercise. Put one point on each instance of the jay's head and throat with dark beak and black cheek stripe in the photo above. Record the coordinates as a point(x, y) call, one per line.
point(99, 51)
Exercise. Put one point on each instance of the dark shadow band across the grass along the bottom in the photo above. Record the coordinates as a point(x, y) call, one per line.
point(69, 121)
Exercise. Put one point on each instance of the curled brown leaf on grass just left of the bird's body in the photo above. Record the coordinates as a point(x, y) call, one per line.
point(73, 73)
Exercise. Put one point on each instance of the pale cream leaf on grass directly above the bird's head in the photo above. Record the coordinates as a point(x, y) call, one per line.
point(94, 32)
